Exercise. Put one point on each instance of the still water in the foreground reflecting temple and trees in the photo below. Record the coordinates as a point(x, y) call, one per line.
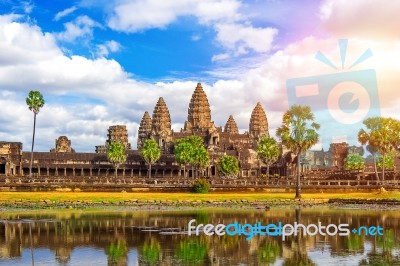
point(158, 238)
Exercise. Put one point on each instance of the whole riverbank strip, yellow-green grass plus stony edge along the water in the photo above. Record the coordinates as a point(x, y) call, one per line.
point(62, 200)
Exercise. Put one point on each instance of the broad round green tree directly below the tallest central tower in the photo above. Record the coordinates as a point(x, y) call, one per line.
point(191, 150)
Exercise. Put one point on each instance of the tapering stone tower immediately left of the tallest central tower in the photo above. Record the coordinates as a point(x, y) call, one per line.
point(161, 125)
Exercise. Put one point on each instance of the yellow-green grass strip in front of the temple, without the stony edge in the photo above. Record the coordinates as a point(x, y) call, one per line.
point(119, 196)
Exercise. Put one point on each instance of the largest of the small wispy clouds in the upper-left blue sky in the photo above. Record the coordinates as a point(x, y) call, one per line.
point(81, 27)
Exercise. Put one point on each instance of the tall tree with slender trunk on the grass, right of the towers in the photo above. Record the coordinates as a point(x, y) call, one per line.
point(298, 133)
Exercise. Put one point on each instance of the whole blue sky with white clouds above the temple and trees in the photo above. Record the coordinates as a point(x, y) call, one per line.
point(100, 63)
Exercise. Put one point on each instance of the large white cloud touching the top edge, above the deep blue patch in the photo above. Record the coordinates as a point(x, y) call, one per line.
point(234, 30)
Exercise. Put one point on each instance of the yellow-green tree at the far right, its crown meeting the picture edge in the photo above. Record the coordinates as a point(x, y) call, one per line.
point(382, 133)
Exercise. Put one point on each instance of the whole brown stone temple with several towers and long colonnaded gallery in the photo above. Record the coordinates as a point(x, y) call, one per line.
point(63, 160)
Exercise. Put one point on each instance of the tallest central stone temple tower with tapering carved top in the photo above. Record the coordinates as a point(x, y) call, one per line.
point(199, 112)
